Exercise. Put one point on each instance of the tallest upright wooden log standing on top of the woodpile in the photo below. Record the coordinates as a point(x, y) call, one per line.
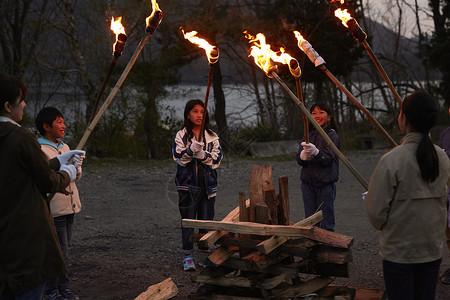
point(260, 179)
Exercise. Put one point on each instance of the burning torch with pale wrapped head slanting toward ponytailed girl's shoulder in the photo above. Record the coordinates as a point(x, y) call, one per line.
point(318, 61)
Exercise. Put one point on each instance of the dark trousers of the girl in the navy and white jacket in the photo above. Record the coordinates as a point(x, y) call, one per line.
point(194, 204)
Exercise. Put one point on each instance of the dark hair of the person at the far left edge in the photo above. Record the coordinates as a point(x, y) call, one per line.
point(10, 89)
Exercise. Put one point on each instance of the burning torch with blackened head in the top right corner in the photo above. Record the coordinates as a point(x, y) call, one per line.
point(359, 35)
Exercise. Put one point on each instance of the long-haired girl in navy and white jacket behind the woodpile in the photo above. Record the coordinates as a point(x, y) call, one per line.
point(196, 177)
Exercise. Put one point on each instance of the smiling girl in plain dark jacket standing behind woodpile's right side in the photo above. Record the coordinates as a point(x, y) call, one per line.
point(320, 167)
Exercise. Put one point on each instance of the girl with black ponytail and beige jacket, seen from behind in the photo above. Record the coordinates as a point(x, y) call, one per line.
point(406, 201)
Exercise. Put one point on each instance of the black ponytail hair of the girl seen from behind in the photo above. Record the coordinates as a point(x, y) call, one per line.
point(421, 110)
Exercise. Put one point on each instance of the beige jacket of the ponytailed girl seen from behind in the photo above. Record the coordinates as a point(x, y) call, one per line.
point(410, 213)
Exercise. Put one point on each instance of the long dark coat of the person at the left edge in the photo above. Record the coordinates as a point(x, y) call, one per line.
point(29, 248)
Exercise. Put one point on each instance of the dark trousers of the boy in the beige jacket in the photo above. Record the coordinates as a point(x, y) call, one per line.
point(64, 226)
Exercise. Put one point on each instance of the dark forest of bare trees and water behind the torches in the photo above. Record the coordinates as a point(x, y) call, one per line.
point(62, 49)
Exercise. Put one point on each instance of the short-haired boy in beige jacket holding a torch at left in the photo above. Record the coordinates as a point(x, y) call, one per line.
point(64, 206)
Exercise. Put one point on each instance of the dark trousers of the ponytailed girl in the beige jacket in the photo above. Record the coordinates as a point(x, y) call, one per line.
point(411, 281)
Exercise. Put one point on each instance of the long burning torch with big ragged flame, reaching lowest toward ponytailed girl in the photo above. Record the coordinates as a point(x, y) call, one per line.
point(264, 58)
